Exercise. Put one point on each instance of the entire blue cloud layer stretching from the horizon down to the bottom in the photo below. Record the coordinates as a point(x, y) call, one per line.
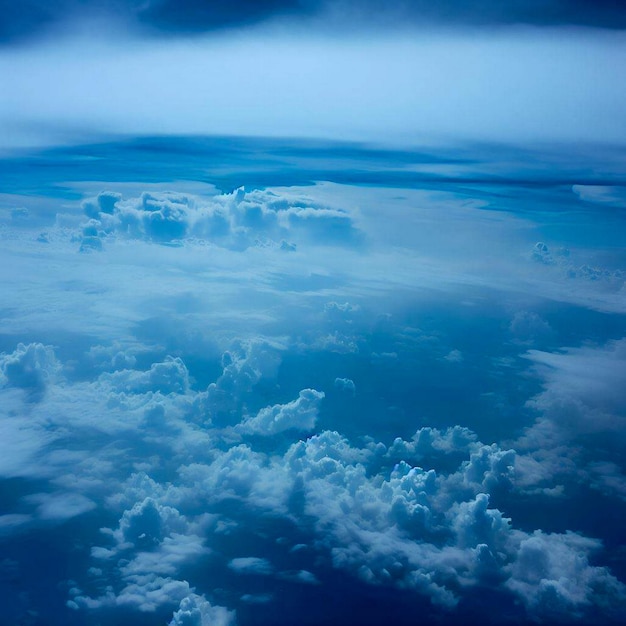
point(242, 406)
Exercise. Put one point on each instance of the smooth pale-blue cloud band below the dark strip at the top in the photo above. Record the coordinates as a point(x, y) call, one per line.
point(509, 85)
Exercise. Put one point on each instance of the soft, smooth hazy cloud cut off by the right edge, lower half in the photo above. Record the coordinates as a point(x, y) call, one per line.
point(582, 402)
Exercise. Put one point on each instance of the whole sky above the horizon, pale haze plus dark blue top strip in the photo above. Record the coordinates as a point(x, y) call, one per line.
point(402, 72)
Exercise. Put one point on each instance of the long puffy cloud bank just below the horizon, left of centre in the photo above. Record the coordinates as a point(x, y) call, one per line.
point(235, 221)
